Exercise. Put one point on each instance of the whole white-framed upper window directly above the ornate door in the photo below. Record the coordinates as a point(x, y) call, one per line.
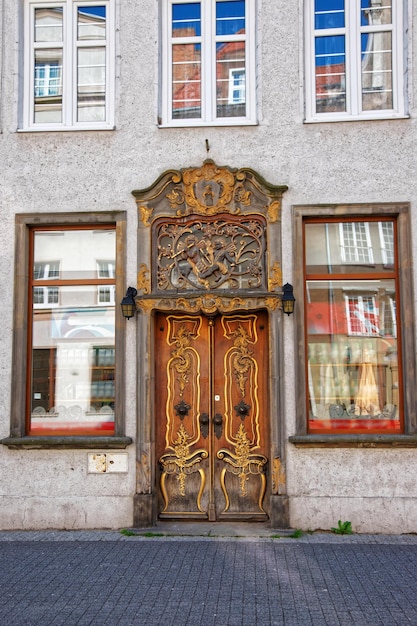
point(208, 68)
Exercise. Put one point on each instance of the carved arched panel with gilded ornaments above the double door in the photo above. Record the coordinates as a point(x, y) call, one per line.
point(209, 249)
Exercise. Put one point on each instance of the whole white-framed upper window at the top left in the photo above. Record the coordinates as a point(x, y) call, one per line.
point(69, 65)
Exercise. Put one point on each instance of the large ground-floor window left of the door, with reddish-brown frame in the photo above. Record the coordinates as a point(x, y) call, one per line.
point(68, 355)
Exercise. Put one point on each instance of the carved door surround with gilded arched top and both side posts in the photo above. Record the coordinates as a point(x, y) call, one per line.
point(207, 198)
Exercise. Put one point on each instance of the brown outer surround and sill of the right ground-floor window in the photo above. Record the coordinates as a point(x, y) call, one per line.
point(401, 213)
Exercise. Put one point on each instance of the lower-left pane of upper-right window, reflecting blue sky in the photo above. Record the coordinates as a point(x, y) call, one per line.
point(330, 74)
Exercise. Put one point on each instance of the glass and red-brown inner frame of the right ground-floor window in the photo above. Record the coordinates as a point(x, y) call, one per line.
point(352, 365)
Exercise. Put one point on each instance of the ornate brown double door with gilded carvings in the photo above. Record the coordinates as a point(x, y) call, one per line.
point(211, 415)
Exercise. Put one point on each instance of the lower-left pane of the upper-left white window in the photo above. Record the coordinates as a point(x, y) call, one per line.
point(48, 86)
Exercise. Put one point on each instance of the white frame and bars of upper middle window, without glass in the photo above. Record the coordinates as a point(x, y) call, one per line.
point(208, 75)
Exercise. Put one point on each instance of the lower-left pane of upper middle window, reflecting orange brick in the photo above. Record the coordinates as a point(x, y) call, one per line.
point(186, 81)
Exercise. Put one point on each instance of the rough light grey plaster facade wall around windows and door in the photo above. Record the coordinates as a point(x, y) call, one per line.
point(372, 483)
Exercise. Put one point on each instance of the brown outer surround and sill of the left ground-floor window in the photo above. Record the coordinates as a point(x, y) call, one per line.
point(22, 321)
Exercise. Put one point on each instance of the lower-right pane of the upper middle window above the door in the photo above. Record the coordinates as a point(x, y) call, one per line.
point(231, 79)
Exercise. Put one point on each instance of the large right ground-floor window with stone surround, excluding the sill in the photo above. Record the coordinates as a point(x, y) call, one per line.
point(355, 356)
